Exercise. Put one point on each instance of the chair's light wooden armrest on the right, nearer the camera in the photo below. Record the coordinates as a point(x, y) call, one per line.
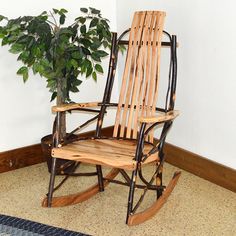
point(171, 115)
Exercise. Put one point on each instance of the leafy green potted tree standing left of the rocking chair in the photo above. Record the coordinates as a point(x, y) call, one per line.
point(59, 53)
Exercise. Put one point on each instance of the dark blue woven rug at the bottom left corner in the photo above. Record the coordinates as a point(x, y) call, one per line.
point(13, 226)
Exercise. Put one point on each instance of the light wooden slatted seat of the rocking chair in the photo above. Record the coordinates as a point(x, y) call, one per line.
point(116, 153)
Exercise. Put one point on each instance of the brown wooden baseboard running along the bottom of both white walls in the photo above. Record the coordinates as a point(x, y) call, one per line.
point(186, 160)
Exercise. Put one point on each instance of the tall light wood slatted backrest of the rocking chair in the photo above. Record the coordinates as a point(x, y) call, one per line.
point(139, 88)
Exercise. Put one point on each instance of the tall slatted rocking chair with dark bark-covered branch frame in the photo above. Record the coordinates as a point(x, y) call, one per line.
point(132, 145)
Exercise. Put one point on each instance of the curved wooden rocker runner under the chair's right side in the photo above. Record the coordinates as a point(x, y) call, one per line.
point(141, 217)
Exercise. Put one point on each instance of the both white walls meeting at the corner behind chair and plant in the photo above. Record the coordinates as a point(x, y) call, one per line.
point(206, 83)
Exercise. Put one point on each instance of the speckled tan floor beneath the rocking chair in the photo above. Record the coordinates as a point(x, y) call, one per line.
point(196, 207)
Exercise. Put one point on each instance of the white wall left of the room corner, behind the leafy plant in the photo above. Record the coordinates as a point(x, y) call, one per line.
point(25, 108)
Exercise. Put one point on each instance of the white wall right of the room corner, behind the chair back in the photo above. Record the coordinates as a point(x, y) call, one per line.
point(206, 83)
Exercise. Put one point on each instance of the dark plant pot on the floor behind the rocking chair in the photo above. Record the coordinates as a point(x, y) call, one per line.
point(62, 166)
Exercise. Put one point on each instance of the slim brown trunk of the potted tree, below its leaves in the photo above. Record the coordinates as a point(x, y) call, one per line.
point(61, 87)
